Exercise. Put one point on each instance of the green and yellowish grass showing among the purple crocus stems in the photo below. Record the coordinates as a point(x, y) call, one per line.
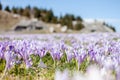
point(19, 72)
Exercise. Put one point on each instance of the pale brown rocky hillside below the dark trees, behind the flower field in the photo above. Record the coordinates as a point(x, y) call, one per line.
point(9, 21)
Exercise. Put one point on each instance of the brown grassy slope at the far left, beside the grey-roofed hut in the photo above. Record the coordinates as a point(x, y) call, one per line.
point(7, 20)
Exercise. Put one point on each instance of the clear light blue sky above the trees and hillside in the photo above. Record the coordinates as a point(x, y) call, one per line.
point(107, 10)
